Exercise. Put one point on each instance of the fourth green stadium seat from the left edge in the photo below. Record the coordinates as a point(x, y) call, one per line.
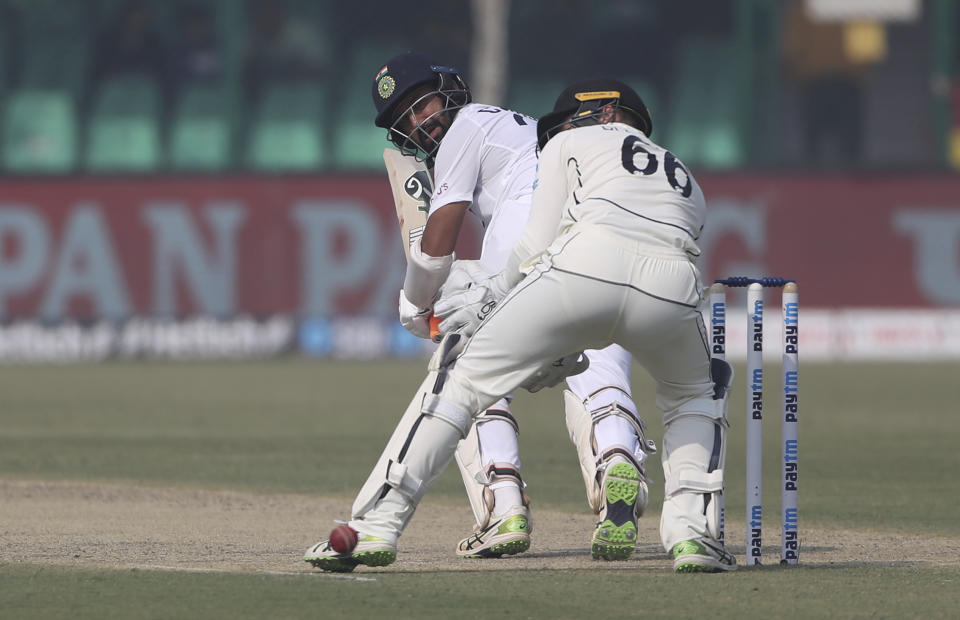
point(288, 132)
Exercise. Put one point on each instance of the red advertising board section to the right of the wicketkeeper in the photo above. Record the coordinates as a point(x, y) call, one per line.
point(851, 241)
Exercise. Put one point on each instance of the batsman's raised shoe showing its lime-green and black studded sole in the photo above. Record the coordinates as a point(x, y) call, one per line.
point(625, 495)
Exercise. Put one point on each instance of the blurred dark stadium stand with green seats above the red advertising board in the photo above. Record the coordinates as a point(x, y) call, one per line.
point(715, 80)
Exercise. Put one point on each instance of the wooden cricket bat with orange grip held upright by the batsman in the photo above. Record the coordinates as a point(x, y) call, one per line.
point(412, 187)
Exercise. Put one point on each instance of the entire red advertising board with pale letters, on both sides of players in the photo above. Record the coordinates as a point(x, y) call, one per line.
point(92, 247)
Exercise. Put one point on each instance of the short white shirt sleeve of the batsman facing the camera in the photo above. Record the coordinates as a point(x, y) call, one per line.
point(457, 169)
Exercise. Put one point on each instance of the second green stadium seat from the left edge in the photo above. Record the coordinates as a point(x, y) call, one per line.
point(124, 127)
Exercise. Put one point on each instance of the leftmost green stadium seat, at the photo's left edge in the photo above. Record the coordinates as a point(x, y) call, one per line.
point(39, 132)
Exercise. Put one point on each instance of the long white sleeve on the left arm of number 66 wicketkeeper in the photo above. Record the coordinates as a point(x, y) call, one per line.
point(549, 195)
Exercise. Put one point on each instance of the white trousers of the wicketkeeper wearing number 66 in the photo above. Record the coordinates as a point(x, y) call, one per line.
point(592, 289)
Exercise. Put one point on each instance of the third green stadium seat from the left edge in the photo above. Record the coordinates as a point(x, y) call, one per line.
point(201, 131)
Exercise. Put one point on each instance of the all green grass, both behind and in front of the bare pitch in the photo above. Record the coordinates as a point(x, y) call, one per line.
point(877, 448)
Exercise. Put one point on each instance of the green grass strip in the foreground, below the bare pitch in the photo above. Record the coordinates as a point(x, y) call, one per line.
point(54, 593)
